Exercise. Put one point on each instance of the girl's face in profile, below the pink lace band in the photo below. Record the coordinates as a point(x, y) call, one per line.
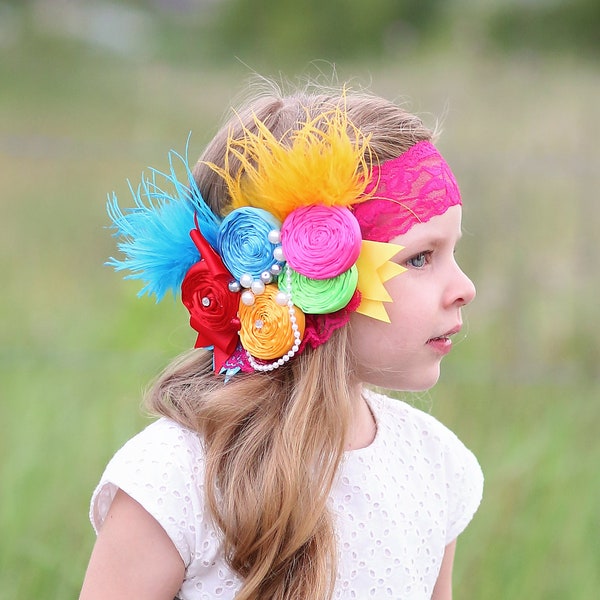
point(426, 310)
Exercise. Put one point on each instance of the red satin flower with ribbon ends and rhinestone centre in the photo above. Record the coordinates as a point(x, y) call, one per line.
point(212, 306)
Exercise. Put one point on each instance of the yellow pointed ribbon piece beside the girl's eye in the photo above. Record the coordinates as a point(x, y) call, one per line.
point(374, 269)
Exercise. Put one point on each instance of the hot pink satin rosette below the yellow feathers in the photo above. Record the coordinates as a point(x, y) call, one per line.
point(321, 242)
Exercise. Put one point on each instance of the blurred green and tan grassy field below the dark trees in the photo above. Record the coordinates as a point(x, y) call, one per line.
point(78, 347)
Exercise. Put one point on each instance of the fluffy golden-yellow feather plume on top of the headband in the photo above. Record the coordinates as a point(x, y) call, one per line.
point(324, 162)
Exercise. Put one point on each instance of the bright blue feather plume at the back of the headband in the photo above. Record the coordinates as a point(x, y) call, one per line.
point(154, 236)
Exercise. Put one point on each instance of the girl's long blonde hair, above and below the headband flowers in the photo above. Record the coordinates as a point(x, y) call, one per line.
point(274, 441)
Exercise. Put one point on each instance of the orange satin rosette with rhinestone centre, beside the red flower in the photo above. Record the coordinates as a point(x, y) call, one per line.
point(266, 327)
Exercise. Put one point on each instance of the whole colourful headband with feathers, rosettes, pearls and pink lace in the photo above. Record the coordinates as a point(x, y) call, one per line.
point(303, 244)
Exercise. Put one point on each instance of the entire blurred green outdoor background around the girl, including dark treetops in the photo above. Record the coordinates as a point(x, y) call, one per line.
point(93, 92)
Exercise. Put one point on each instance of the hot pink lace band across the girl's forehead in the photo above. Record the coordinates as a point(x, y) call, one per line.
point(407, 190)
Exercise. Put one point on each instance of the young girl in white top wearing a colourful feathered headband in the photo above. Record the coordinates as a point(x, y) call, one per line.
point(313, 246)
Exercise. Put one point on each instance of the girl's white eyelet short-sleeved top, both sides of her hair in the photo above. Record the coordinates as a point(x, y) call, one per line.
point(397, 503)
